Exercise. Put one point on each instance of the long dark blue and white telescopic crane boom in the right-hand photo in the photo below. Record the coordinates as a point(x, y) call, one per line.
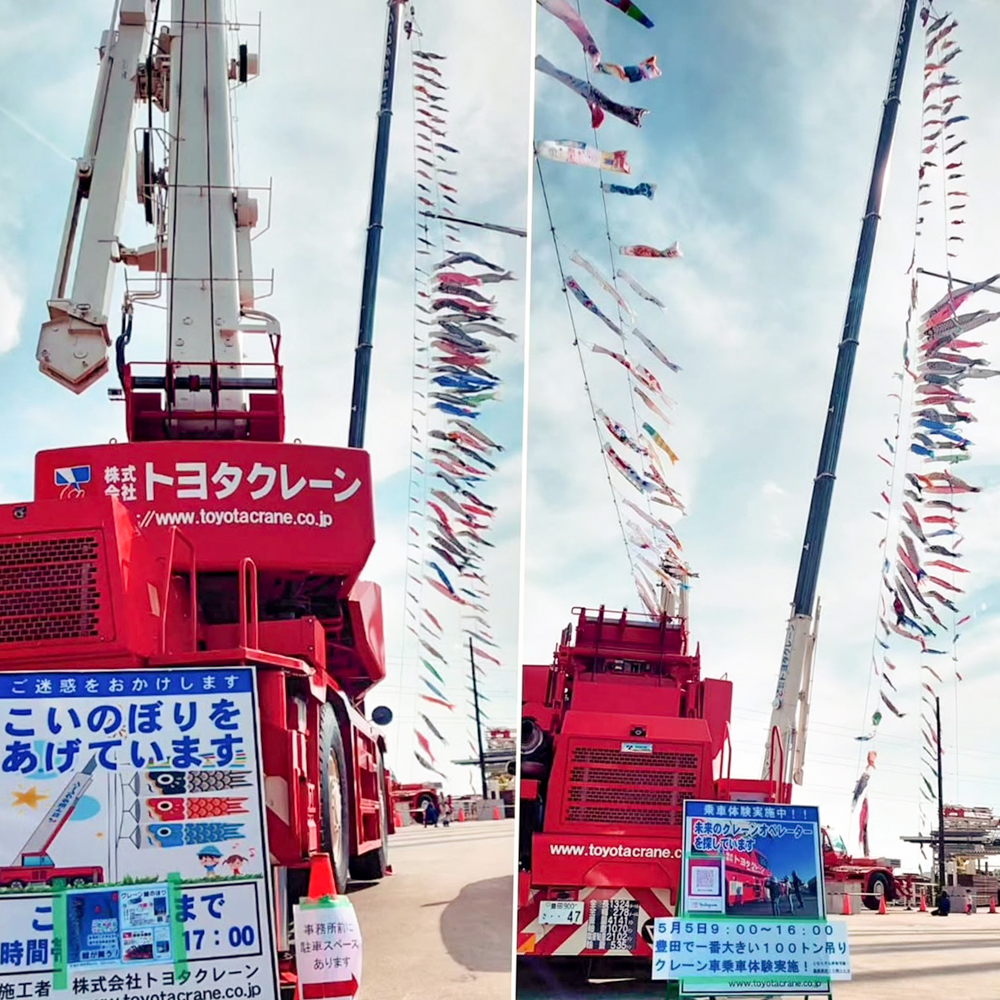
point(790, 709)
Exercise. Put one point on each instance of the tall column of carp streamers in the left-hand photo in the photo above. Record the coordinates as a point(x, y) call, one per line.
point(458, 337)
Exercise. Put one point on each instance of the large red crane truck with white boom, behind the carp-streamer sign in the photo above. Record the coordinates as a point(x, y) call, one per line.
point(204, 539)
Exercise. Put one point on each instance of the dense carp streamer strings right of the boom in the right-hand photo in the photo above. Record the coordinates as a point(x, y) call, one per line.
point(920, 615)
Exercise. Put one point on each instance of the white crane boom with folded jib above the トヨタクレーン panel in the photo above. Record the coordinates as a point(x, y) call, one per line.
point(201, 248)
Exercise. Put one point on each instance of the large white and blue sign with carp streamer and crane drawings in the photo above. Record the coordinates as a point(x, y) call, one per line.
point(133, 861)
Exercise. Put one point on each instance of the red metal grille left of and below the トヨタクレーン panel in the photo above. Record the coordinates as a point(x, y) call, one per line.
point(49, 590)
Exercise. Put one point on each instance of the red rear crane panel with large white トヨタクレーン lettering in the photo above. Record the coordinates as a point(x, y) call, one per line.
point(318, 495)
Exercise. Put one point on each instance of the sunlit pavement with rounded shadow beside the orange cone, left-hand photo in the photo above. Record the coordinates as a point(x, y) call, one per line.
point(440, 927)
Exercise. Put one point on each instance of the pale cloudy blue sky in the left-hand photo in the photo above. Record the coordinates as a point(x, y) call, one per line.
point(308, 123)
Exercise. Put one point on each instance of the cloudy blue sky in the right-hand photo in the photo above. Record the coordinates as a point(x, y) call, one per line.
point(760, 138)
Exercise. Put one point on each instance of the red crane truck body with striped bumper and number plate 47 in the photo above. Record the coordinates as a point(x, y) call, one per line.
point(616, 734)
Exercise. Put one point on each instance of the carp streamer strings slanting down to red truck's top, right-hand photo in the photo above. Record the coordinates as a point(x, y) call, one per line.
point(637, 452)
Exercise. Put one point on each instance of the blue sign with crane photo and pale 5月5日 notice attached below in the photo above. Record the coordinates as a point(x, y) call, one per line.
point(752, 915)
